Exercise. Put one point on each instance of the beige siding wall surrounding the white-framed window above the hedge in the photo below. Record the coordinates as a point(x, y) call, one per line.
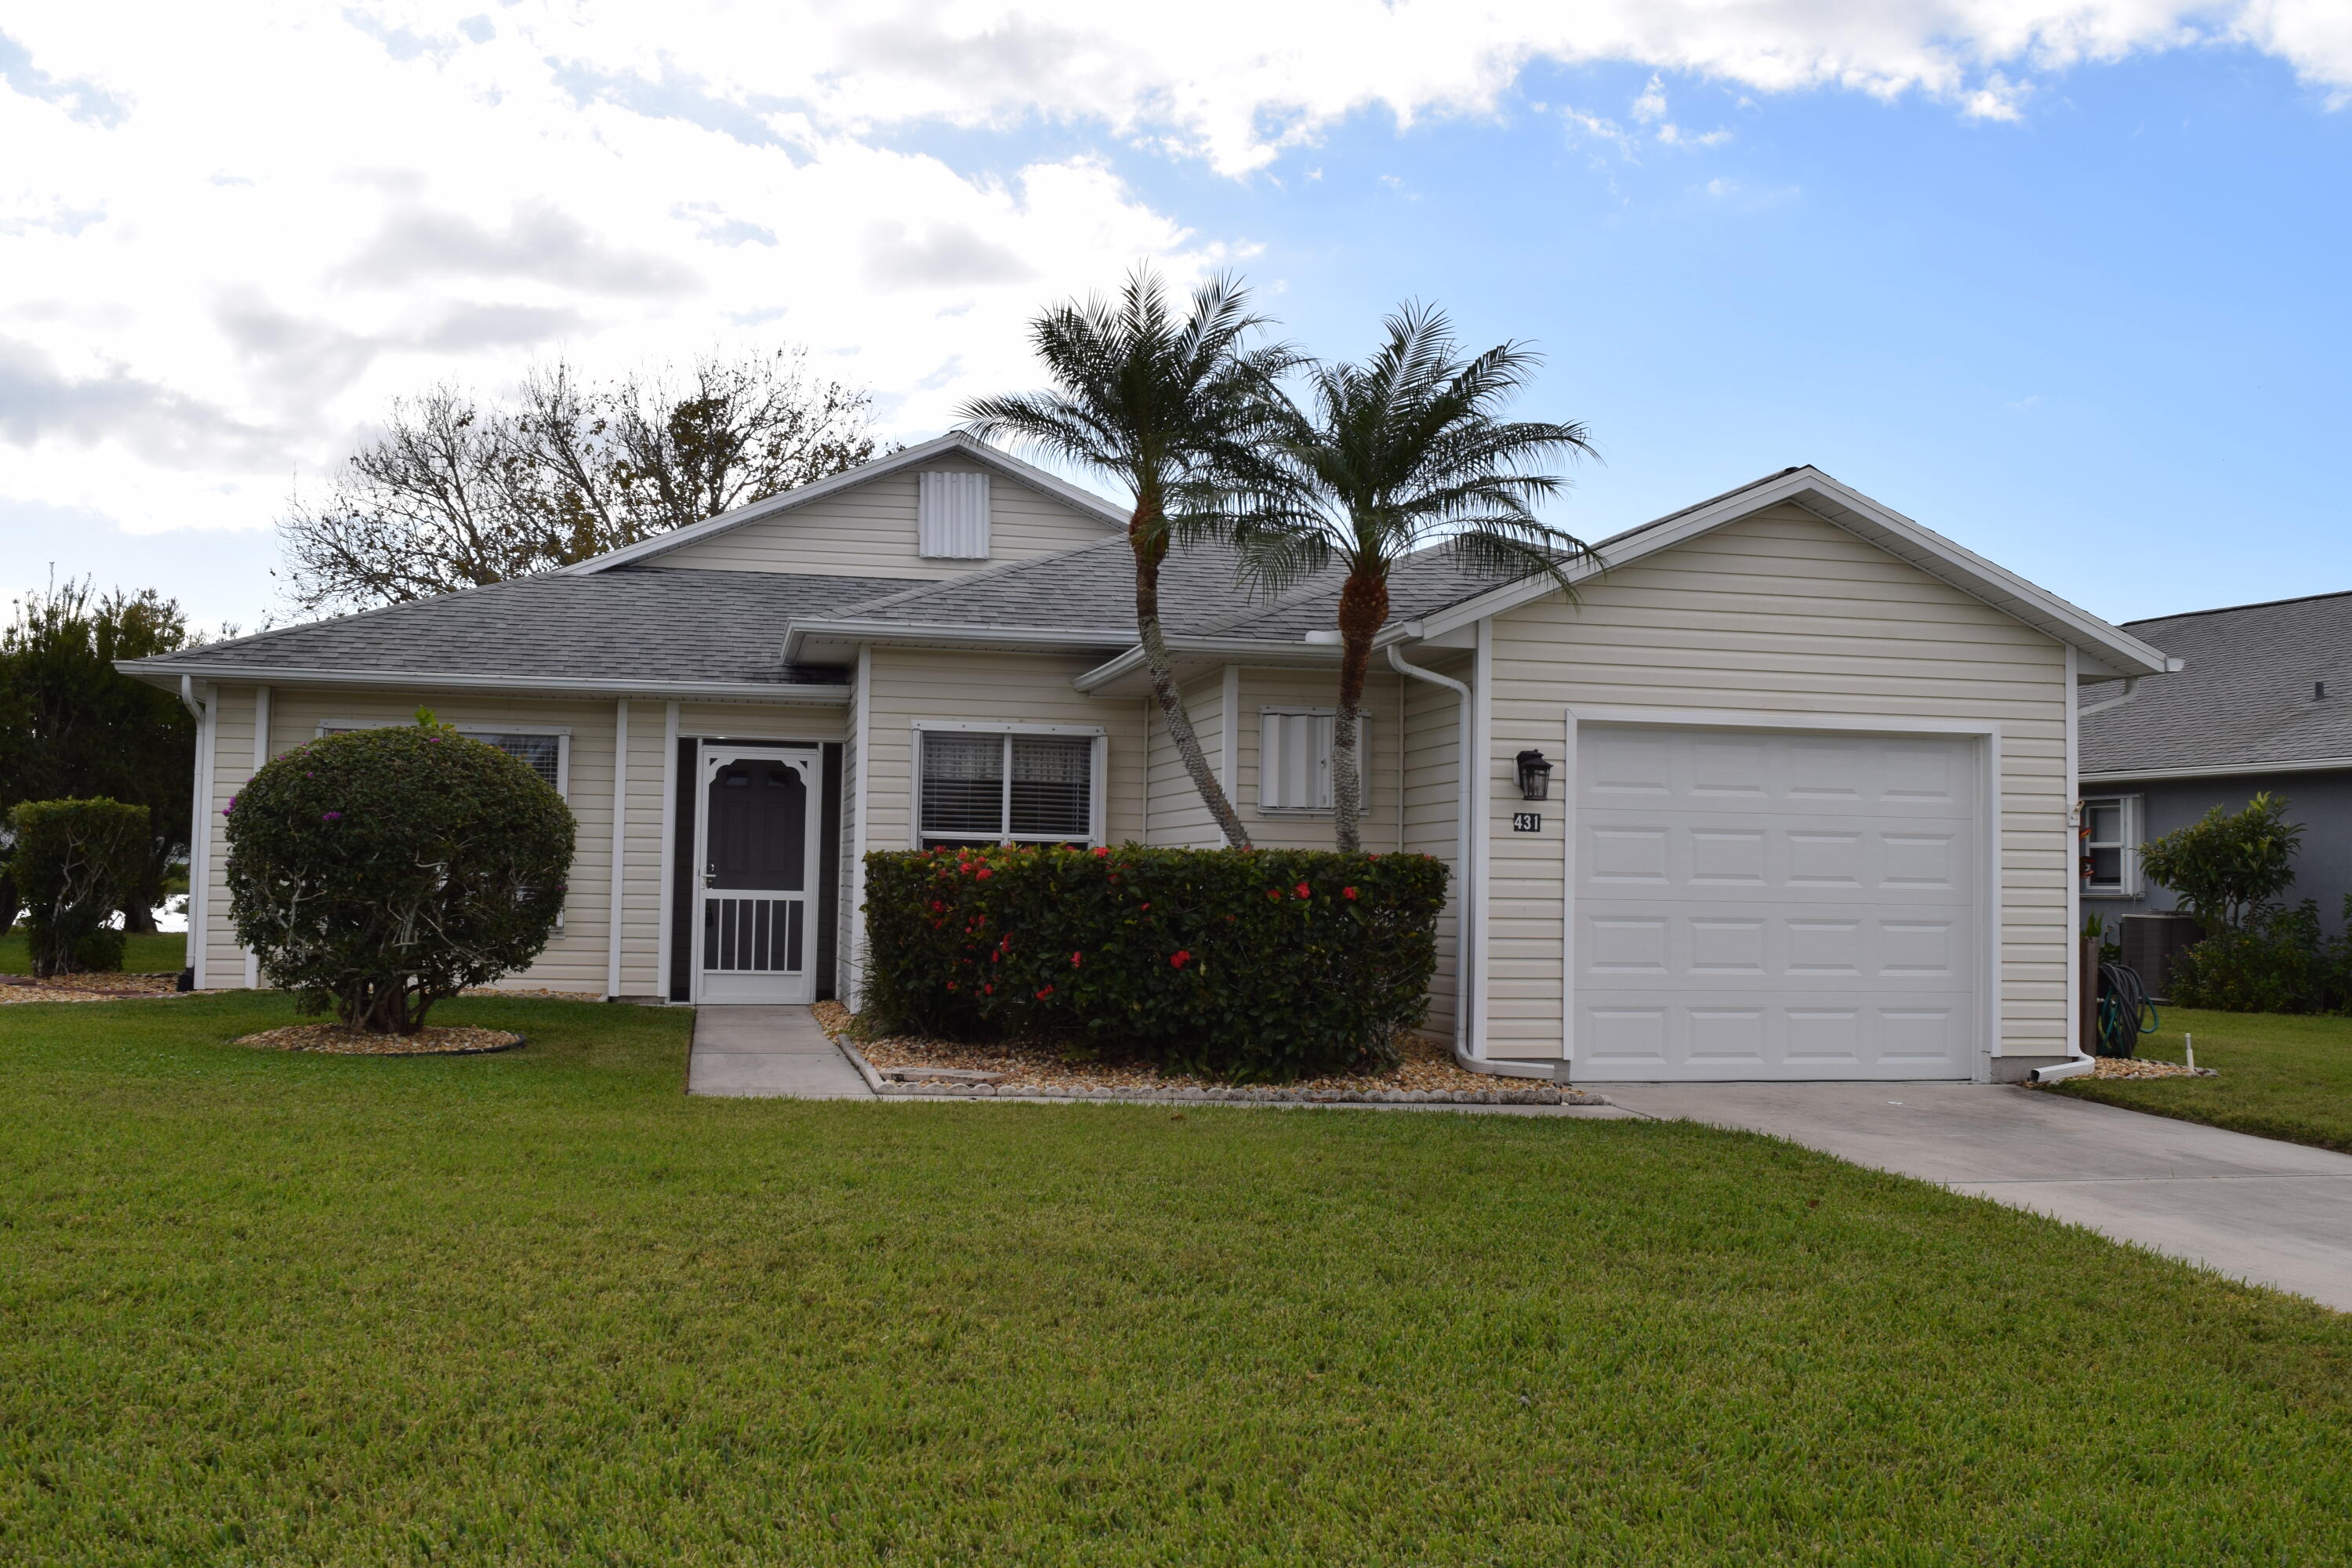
point(977, 688)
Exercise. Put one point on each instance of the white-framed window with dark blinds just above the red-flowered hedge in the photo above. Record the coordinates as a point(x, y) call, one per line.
point(996, 789)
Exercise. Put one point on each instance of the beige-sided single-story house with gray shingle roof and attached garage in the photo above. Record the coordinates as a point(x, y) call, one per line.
point(1808, 815)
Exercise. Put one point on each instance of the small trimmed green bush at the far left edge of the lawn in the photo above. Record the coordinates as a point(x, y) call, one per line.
point(74, 864)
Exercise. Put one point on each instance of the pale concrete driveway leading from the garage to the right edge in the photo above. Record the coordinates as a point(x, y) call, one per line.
point(2269, 1212)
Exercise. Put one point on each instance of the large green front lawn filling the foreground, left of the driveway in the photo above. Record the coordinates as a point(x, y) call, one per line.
point(542, 1308)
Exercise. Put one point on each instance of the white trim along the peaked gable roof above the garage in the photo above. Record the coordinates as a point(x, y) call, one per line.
point(1866, 521)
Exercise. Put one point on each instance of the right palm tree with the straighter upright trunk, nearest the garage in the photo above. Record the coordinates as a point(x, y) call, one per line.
point(1391, 457)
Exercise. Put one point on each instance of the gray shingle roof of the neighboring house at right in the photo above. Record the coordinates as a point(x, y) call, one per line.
point(2245, 697)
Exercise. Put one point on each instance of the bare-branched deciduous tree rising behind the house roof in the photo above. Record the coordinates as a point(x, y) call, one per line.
point(460, 492)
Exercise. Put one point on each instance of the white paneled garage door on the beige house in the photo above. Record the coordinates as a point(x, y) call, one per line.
point(1777, 906)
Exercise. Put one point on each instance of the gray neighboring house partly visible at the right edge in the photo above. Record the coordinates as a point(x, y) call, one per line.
point(2264, 702)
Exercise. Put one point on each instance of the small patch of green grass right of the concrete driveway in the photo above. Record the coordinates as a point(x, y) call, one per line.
point(2280, 1078)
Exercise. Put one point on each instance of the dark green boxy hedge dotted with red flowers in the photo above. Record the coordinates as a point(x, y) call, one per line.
point(1248, 965)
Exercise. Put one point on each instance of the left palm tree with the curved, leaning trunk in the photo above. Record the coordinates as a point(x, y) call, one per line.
point(1168, 406)
